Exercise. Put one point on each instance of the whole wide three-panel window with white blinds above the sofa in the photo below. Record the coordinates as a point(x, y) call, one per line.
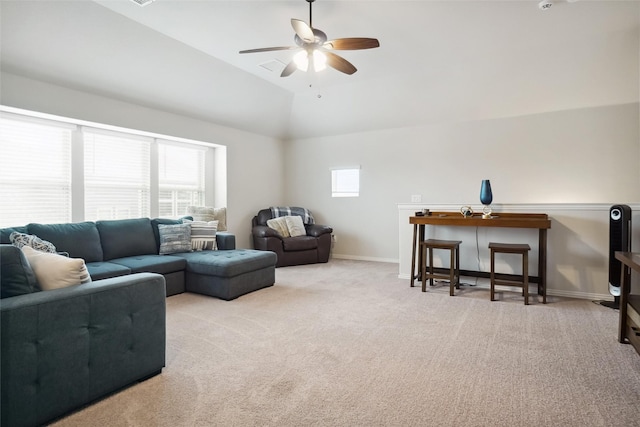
point(58, 170)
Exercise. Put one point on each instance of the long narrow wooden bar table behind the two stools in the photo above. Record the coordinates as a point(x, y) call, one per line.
point(500, 220)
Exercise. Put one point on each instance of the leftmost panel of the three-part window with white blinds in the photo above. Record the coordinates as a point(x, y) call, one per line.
point(35, 177)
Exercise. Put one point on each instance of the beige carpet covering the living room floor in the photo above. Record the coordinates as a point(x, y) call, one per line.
point(349, 344)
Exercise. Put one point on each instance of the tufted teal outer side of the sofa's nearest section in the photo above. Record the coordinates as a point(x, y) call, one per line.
point(64, 348)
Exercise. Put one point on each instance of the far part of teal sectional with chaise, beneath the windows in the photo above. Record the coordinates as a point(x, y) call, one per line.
point(115, 248)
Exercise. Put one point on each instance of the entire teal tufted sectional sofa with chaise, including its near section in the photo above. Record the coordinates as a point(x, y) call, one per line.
point(62, 349)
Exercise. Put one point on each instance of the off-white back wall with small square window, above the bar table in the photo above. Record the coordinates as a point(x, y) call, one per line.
point(577, 156)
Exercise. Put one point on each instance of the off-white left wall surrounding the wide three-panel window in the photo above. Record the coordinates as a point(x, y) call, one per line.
point(254, 163)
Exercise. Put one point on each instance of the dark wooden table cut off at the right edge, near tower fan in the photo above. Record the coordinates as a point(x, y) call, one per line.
point(629, 303)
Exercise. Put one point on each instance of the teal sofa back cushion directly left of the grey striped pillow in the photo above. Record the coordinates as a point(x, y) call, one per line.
point(126, 237)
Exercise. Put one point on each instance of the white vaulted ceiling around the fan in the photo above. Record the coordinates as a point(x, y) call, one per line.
point(438, 60)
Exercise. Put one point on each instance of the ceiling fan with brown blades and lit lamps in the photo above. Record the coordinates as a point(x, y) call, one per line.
point(317, 50)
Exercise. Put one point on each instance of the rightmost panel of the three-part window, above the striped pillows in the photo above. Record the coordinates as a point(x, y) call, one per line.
point(180, 177)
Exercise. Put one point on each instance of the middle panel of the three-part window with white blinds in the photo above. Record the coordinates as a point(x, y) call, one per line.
point(116, 175)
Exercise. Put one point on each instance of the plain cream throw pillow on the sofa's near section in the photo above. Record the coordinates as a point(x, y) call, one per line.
point(55, 271)
